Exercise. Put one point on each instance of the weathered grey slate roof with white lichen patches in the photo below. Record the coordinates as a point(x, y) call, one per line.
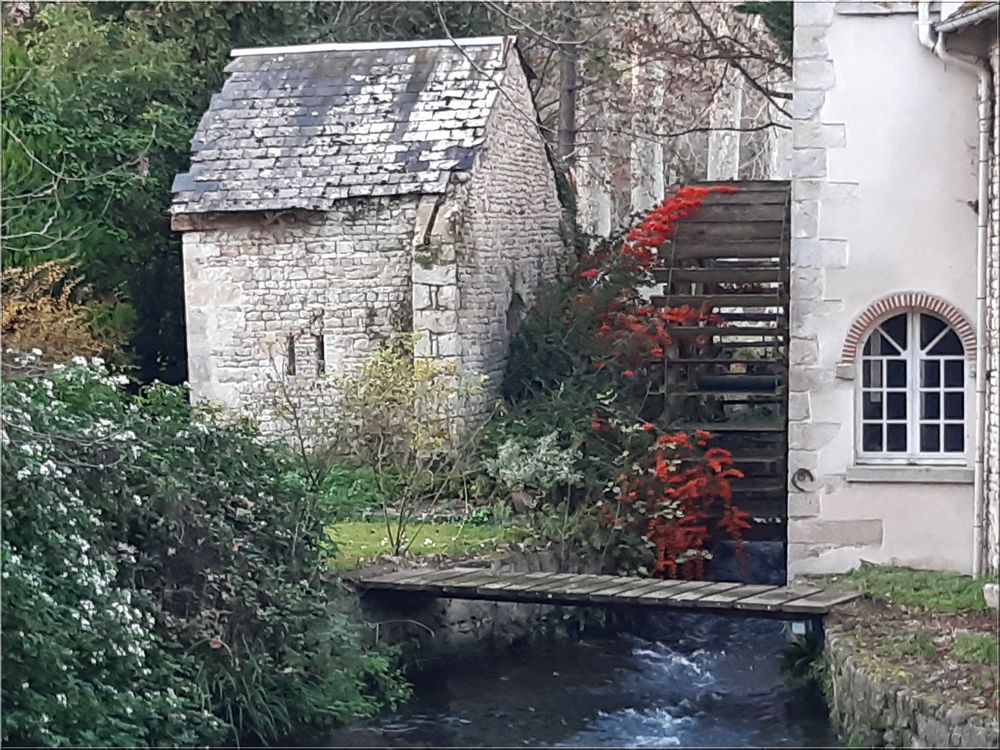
point(302, 127)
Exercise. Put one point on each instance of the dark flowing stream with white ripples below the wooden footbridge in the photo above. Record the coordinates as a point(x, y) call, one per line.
point(688, 681)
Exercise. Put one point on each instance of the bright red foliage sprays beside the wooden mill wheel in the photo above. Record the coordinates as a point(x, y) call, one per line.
point(678, 491)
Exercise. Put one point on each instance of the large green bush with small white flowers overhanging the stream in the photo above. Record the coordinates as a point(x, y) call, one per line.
point(165, 577)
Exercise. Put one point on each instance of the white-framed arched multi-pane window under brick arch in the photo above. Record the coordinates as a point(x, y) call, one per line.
point(913, 391)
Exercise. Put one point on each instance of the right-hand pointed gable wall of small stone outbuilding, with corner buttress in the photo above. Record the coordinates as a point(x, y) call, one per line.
point(493, 242)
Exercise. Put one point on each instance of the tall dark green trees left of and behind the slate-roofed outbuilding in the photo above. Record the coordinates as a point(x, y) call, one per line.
point(100, 103)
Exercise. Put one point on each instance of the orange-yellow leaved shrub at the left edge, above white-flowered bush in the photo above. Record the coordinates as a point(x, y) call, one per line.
point(47, 307)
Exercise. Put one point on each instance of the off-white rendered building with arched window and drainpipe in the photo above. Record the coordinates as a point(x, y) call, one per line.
point(895, 379)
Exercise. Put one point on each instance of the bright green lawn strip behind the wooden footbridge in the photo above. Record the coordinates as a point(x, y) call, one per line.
point(361, 541)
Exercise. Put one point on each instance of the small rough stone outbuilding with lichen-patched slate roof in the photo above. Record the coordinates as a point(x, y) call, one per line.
point(342, 192)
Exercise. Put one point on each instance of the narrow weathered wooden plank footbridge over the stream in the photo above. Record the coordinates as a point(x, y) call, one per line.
point(796, 602)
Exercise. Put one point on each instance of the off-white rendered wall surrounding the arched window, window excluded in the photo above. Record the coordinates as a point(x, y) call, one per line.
point(883, 167)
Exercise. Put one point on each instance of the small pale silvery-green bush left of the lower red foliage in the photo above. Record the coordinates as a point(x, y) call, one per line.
point(537, 464)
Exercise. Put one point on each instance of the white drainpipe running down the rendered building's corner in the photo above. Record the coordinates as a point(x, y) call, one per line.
point(936, 42)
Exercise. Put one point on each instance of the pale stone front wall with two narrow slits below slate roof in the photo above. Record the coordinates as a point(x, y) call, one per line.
point(342, 275)
